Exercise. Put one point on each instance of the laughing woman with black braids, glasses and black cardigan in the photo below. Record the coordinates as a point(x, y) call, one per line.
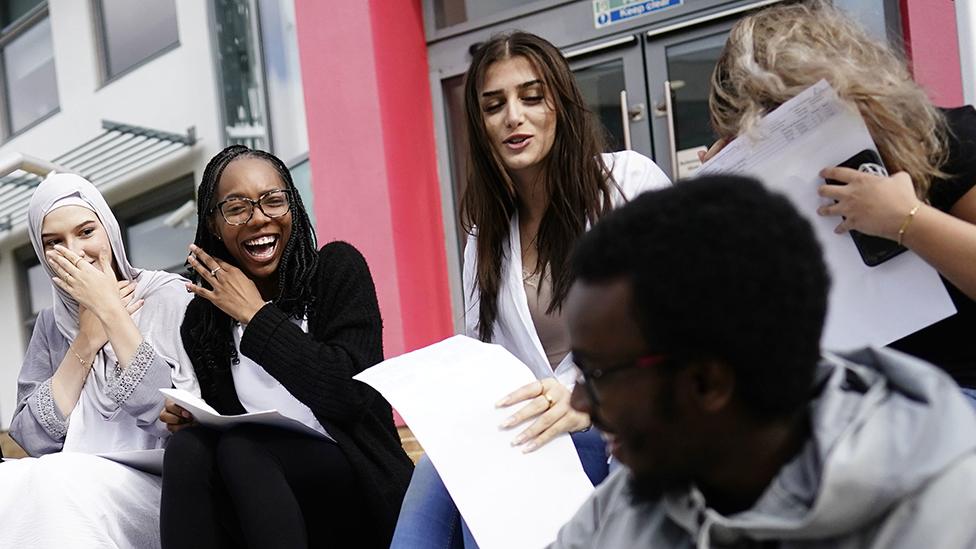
point(276, 324)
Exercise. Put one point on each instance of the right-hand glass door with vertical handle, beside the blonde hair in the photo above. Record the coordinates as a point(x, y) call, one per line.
point(679, 70)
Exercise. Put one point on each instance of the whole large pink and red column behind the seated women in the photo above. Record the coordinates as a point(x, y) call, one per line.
point(372, 156)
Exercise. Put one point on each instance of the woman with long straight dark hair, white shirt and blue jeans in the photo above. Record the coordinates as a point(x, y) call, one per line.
point(537, 178)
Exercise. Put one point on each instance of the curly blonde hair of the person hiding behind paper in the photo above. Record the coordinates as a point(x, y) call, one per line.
point(776, 53)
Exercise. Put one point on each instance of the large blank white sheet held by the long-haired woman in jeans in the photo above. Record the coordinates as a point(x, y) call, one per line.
point(447, 393)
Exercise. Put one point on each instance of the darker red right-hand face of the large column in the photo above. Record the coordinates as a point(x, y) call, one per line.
point(410, 154)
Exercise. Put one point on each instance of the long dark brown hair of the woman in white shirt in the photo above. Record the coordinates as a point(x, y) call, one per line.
point(576, 182)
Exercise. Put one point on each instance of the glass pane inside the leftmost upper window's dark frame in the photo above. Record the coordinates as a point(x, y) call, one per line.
point(32, 88)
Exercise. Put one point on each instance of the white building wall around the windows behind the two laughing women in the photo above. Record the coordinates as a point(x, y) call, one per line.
point(170, 92)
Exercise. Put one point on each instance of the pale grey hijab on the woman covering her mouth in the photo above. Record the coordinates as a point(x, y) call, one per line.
point(163, 292)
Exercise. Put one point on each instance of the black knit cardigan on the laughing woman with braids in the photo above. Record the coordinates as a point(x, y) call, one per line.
point(345, 336)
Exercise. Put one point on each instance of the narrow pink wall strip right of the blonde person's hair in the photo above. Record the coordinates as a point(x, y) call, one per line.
point(933, 47)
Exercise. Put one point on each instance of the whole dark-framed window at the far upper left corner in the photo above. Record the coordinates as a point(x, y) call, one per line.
point(30, 88)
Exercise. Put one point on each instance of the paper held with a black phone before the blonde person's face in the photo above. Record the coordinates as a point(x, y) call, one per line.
point(868, 305)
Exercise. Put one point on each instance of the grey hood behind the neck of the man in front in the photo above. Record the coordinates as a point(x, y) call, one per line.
point(884, 424)
